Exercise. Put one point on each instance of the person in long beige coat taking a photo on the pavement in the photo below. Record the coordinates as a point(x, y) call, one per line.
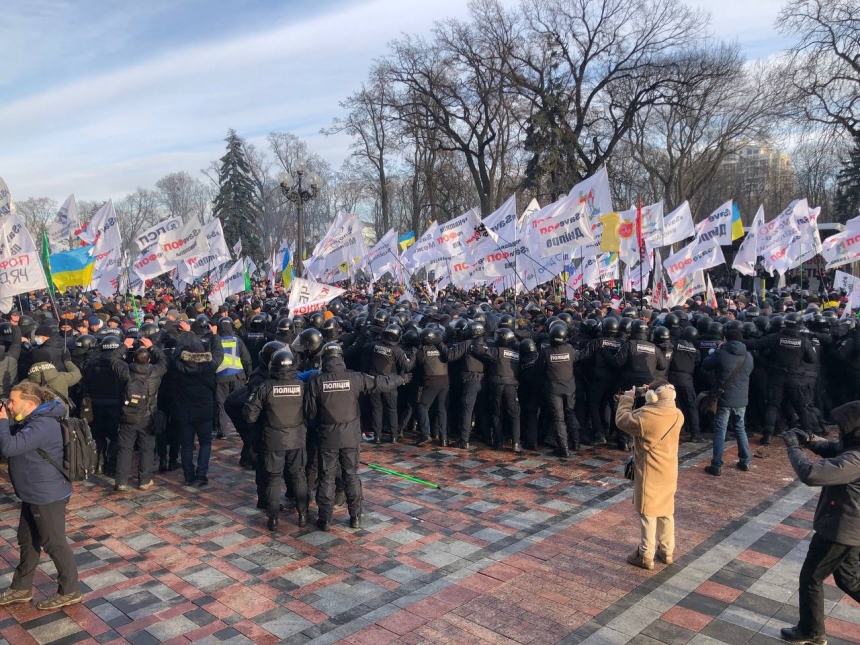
point(655, 428)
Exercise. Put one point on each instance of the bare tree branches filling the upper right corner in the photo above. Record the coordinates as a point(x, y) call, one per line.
point(823, 66)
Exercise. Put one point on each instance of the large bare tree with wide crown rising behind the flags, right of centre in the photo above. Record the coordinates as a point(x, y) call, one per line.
point(588, 67)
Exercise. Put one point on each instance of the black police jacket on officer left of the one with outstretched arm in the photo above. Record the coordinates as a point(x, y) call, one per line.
point(280, 402)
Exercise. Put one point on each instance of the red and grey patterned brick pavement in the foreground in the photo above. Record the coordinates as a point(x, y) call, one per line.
point(511, 549)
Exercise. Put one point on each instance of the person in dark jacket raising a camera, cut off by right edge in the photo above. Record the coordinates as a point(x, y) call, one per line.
point(835, 546)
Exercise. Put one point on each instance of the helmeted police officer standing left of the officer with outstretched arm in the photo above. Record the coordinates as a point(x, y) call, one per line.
point(280, 399)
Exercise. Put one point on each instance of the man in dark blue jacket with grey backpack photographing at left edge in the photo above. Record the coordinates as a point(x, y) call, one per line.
point(43, 490)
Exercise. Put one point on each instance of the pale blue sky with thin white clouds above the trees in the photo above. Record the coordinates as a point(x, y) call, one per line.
point(99, 98)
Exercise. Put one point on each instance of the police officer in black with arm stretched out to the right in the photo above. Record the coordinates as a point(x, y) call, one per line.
point(332, 402)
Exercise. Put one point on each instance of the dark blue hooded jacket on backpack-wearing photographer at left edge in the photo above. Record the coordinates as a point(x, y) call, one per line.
point(36, 480)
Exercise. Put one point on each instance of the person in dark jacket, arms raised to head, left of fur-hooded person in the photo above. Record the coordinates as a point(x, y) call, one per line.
point(140, 381)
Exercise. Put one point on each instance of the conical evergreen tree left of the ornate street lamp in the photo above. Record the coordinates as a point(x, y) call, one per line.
point(235, 203)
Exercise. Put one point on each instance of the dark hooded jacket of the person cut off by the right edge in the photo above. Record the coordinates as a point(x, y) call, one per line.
point(837, 515)
